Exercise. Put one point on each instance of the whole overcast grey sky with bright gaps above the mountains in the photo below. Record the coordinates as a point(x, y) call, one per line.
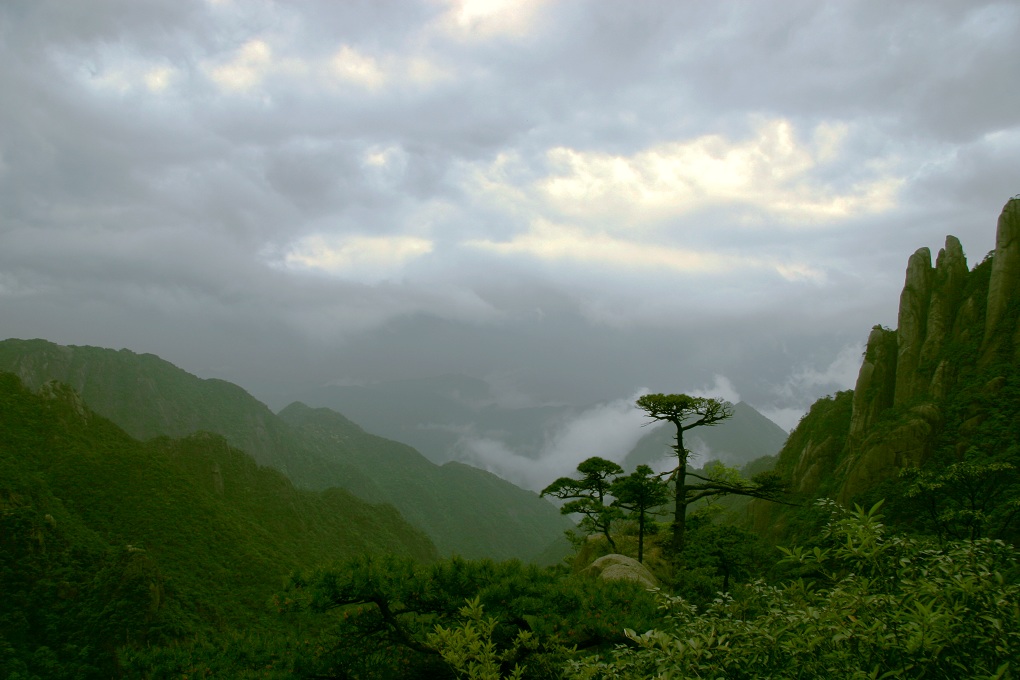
point(575, 200)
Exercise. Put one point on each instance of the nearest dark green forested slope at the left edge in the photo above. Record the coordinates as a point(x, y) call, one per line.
point(106, 540)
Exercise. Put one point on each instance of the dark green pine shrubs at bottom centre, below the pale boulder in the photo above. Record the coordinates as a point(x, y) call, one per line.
point(393, 608)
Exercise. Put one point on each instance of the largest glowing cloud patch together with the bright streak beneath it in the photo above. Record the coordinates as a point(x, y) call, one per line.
point(629, 212)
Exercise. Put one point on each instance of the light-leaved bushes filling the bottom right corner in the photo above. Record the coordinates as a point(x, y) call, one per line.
point(870, 605)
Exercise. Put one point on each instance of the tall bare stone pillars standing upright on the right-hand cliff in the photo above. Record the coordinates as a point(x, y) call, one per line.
point(912, 363)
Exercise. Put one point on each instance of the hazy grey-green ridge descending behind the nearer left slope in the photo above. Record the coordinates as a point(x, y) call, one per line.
point(465, 510)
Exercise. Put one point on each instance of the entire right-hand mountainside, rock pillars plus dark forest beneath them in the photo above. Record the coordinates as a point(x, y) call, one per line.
point(937, 406)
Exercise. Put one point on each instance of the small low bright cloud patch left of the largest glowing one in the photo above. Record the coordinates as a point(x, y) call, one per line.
point(364, 257)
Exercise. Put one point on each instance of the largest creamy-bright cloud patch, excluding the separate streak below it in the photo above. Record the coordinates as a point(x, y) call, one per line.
point(772, 172)
